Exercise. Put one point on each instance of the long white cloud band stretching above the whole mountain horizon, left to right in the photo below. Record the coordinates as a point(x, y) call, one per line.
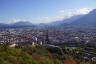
point(62, 14)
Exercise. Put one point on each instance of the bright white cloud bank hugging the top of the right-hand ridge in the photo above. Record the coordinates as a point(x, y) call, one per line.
point(63, 14)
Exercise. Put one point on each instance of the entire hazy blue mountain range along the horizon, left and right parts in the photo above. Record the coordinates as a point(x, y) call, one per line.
point(87, 20)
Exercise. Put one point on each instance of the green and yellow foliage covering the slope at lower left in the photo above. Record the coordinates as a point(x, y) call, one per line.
point(26, 55)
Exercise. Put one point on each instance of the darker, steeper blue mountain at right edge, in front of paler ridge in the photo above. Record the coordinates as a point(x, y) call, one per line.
point(89, 20)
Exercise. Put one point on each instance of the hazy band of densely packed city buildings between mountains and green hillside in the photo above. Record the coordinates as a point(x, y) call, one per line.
point(54, 35)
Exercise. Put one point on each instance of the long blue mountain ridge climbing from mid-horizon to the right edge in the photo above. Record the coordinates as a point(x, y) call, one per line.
point(87, 20)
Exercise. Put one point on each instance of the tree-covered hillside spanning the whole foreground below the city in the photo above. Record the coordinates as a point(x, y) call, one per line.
point(43, 55)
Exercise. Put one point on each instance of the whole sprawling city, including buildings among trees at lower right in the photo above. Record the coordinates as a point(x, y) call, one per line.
point(80, 43)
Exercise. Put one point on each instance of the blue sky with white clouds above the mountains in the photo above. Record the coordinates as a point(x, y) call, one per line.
point(42, 11)
